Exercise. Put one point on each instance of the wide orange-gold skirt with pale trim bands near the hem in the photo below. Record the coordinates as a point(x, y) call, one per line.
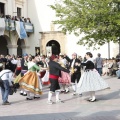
point(31, 82)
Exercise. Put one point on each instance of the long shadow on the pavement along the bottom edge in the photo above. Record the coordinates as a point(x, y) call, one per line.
point(103, 115)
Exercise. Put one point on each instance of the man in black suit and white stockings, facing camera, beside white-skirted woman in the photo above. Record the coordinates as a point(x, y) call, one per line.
point(75, 68)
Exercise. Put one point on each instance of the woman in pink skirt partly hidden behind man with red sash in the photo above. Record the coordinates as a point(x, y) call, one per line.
point(65, 79)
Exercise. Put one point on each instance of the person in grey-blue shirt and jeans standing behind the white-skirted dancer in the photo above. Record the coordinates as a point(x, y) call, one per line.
point(99, 64)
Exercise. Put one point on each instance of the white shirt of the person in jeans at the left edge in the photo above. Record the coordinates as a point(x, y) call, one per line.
point(7, 75)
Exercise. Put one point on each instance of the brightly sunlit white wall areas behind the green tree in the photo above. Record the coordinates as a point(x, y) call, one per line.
point(48, 15)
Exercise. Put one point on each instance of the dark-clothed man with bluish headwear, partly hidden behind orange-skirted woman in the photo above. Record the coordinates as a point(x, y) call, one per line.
point(24, 69)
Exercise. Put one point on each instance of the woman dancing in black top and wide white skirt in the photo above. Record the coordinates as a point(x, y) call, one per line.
point(90, 80)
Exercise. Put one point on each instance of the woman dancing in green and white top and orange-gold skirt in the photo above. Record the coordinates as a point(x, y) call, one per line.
point(30, 81)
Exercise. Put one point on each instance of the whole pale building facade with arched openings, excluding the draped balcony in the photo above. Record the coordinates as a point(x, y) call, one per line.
point(45, 33)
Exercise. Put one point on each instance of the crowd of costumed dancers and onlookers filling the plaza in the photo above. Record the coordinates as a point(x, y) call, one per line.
point(58, 71)
